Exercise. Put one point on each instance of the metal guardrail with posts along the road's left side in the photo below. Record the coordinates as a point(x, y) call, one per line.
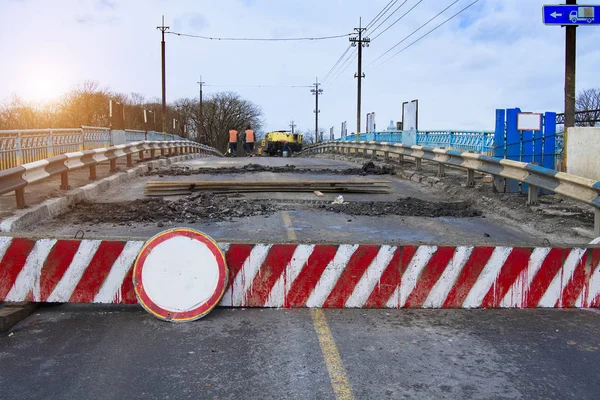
point(17, 178)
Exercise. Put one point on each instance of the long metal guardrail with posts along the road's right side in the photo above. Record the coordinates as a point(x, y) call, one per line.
point(572, 186)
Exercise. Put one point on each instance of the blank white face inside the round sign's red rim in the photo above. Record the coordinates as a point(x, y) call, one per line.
point(180, 274)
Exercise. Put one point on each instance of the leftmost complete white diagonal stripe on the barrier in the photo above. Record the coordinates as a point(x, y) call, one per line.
point(29, 277)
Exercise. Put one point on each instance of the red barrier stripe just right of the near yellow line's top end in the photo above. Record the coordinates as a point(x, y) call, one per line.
point(356, 267)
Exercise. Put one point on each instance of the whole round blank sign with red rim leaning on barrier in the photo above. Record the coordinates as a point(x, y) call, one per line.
point(180, 275)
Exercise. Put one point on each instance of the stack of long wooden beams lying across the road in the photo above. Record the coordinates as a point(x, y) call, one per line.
point(182, 187)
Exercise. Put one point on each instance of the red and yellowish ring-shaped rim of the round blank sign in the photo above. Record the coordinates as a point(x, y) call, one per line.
point(199, 311)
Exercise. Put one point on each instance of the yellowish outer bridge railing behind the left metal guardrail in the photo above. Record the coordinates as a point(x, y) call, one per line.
point(18, 147)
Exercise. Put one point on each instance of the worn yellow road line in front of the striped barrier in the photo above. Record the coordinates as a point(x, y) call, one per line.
point(337, 373)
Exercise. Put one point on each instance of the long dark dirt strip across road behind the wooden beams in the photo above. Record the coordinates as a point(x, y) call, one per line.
point(368, 168)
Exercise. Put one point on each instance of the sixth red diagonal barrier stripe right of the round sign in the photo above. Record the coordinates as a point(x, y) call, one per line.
point(429, 276)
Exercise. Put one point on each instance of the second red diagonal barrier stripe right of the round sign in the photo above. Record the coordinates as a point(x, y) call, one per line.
point(274, 265)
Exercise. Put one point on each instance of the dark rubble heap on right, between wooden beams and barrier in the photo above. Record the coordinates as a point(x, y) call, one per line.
point(406, 207)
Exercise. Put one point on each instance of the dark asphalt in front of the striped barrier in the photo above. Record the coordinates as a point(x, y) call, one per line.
point(115, 352)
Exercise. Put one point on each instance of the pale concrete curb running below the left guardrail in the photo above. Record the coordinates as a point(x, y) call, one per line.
point(23, 219)
